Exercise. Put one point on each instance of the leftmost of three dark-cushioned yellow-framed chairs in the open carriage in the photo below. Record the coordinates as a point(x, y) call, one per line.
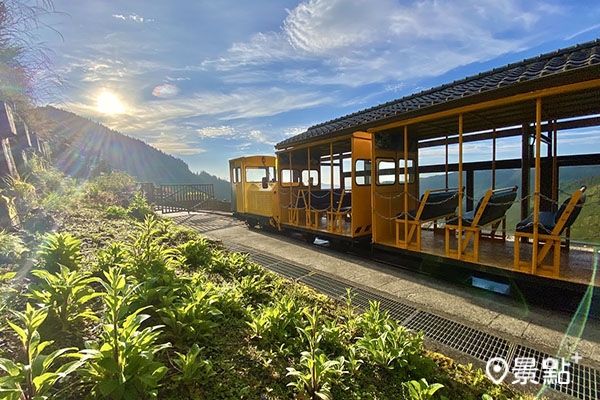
point(433, 205)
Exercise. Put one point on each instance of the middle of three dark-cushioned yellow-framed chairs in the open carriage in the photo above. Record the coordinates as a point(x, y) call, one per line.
point(490, 211)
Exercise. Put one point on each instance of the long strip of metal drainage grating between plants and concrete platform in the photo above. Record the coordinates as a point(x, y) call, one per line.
point(585, 381)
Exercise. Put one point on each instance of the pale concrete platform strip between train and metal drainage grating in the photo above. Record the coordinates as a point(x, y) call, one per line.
point(546, 331)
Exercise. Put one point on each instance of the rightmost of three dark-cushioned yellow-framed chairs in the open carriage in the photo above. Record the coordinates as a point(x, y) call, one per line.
point(550, 225)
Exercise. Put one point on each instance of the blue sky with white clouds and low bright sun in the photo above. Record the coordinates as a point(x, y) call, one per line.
point(211, 80)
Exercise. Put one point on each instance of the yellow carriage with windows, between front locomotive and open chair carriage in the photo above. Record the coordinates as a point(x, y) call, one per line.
point(325, 187)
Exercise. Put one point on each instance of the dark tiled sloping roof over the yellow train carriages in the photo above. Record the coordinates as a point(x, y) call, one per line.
point(571, 65)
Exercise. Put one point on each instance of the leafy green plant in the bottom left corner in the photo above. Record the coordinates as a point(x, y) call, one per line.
point(34, 378)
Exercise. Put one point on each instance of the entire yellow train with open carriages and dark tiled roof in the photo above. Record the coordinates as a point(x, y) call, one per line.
point(357, 179)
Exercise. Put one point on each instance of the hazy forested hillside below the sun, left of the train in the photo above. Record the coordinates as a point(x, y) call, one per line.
point(83, 148)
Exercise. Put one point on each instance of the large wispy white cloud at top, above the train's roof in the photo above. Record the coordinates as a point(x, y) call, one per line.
point(358, 42)
